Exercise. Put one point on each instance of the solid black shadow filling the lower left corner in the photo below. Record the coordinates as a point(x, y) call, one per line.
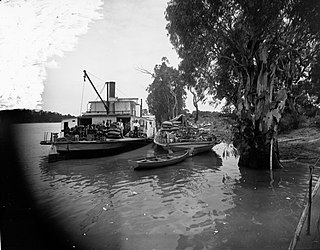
point(23, 225)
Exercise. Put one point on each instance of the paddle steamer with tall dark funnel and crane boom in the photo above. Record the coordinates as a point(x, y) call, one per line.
point(97, 132)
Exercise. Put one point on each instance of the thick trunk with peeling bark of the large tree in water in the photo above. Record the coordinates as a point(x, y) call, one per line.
point(259, 113)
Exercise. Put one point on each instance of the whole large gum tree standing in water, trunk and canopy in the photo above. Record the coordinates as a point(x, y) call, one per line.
point(256, 51)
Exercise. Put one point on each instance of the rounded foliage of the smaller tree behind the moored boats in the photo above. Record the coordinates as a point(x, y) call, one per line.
point(166, 98)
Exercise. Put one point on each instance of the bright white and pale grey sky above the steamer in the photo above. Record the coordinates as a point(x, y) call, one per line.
point(45, 46)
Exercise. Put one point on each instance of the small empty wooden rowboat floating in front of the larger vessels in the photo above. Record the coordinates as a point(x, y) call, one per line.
point(159, 160)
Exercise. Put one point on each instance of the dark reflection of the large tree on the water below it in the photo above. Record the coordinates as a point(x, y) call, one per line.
point(262, 217)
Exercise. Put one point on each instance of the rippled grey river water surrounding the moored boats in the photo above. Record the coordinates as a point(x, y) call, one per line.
point(205, 202)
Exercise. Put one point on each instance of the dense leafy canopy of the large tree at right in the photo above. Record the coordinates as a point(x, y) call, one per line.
point(223, 39)
